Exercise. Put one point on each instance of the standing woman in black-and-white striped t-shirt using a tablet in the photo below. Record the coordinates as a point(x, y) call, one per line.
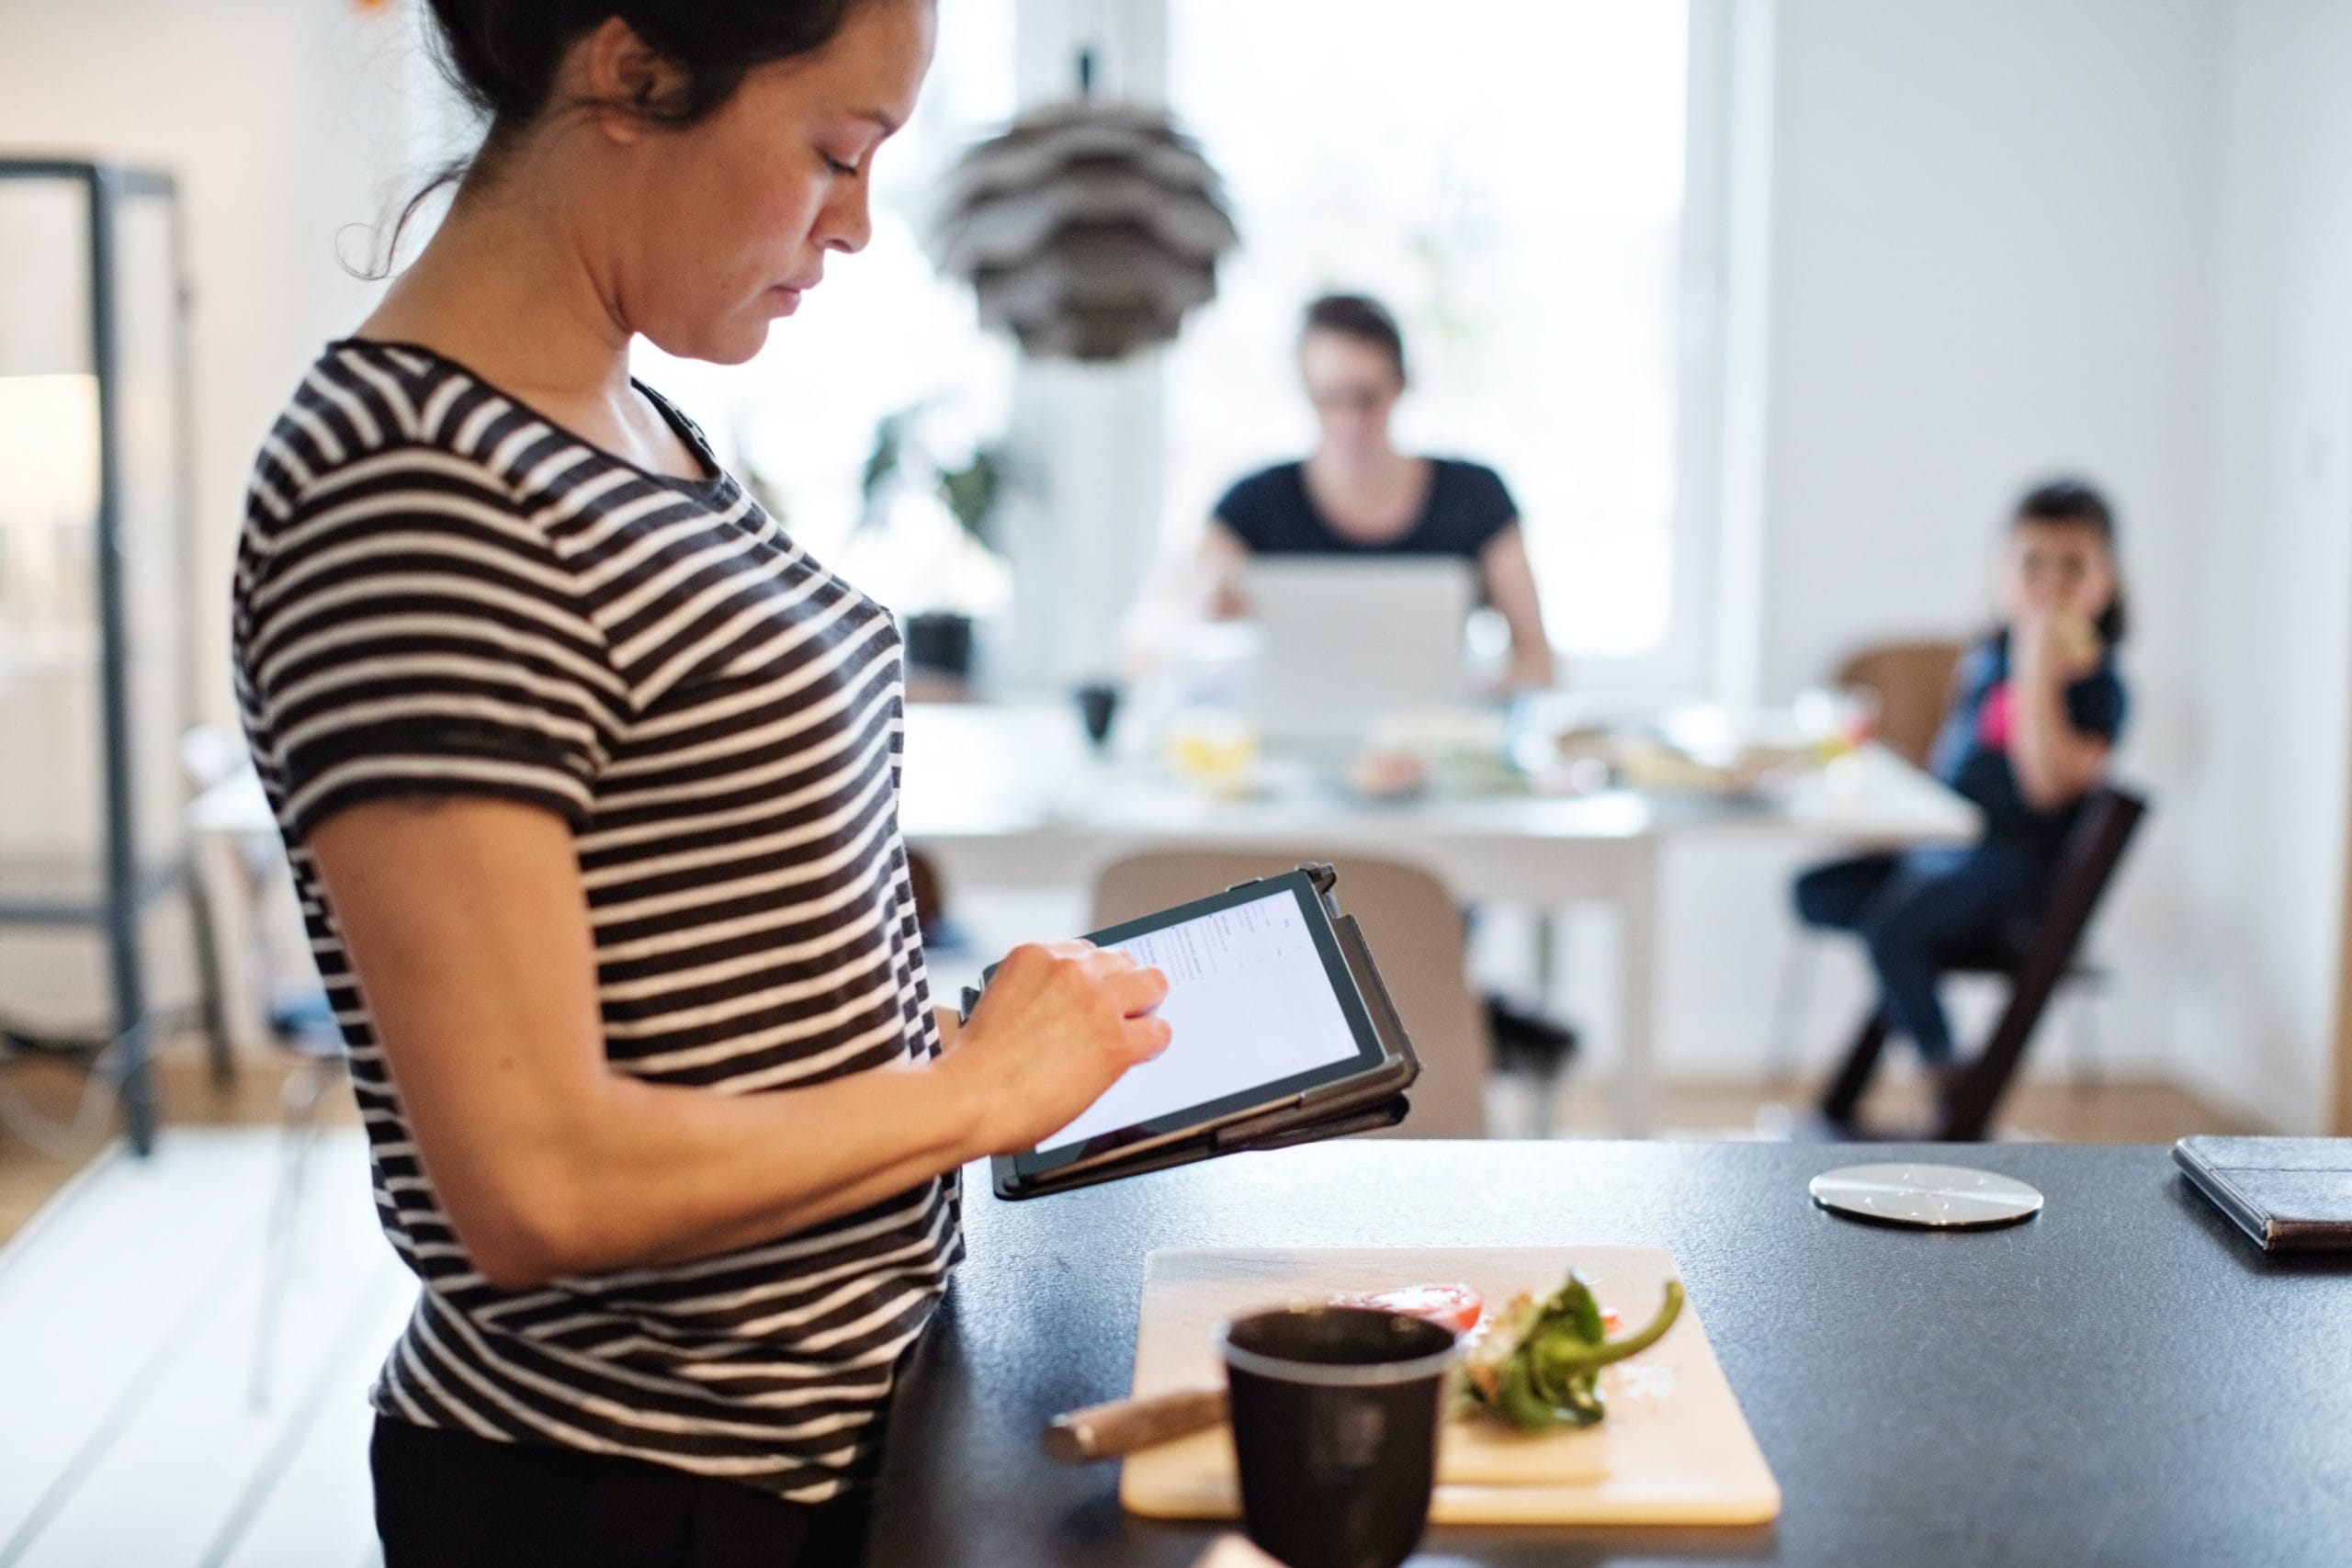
point(589, 777)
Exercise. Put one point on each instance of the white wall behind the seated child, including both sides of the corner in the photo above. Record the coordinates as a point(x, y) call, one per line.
point(2113, 236)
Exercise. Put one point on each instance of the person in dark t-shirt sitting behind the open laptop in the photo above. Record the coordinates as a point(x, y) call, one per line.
point(1356, 495)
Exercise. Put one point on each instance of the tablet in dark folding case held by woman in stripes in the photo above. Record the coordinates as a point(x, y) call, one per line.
point(1264, 1014)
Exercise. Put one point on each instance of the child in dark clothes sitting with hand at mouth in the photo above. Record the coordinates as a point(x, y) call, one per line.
point(2036, 711)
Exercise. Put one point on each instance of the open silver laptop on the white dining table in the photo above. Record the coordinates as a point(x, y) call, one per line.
point(1349, 641)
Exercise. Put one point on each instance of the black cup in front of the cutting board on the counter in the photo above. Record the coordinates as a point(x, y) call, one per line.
point(1335, 1428)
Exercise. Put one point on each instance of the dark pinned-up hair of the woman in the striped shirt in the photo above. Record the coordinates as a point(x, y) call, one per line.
point(505, 55)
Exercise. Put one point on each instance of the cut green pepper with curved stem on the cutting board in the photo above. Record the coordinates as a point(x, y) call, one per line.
point(1542, 1362)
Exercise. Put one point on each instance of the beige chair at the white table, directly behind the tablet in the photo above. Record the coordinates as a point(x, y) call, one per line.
point(1415, 930)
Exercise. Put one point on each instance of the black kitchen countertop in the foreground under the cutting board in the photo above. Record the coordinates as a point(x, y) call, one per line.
point(2120, 1379)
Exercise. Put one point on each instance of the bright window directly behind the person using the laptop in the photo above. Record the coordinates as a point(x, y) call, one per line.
point(1509, 177)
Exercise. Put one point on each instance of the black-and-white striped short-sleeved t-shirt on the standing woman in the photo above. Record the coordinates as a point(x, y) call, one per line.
point(443, 594)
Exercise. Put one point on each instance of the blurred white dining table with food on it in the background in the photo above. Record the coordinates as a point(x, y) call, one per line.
point(1013, 796)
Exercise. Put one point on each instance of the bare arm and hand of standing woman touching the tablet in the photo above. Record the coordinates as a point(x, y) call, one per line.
point(469, 927)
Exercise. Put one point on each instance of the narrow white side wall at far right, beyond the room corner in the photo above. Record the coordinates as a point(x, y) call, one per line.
point(2266, 784)
